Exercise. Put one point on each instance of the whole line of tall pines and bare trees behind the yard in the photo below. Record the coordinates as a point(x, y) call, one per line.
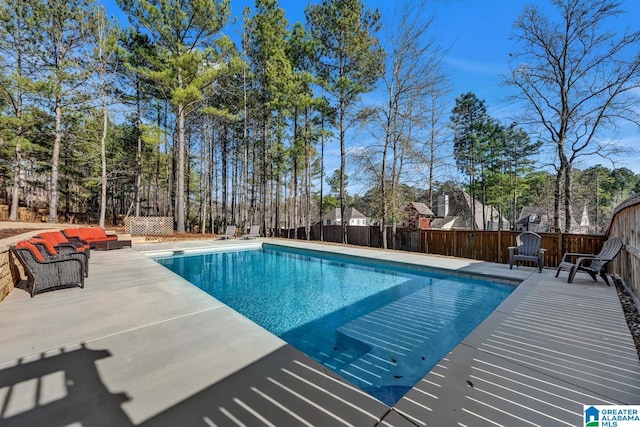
point(170, 117)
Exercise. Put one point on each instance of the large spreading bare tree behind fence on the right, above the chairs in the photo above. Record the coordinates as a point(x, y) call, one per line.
point(576, 76)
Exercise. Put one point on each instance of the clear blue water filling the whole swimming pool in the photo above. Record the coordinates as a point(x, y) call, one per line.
point(380, 327)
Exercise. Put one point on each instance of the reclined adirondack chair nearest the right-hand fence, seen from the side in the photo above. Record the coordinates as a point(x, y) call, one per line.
point(590, 263)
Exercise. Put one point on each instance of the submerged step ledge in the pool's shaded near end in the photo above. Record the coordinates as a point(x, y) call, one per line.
point(404, 338)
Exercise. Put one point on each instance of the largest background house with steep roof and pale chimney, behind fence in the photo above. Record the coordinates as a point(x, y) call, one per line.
point(455, 211)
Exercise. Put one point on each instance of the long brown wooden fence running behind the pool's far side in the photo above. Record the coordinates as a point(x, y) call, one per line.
point(492, 246)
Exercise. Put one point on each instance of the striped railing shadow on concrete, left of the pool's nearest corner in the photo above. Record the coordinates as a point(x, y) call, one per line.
point(284, 388)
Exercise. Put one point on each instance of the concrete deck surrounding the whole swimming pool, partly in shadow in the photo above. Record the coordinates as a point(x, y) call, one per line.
point(141, 346)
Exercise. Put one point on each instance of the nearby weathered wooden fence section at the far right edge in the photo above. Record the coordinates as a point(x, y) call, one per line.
point(624, 224)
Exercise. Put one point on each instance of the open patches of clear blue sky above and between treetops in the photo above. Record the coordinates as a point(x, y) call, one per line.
point(477, 33)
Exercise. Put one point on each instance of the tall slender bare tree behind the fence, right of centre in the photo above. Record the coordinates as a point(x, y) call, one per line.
point(406, 126)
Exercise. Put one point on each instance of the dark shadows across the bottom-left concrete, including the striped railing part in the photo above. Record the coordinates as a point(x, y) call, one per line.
point(285, 388)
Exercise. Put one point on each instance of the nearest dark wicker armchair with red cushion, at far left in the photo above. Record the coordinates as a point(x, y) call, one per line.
point(45, 273)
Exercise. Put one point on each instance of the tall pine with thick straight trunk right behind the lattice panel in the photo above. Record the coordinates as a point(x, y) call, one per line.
point(183, 32)
